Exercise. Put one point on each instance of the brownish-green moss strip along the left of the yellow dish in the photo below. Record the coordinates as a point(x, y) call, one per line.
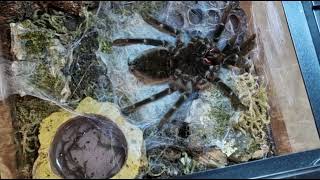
point(29, 112)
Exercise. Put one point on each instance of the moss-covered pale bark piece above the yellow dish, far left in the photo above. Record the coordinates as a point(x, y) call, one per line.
point(44, 50)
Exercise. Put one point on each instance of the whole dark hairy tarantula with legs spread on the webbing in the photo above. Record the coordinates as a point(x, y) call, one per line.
point(188, 66)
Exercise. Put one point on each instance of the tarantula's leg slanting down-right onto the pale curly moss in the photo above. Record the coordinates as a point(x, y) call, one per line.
point(227, 91)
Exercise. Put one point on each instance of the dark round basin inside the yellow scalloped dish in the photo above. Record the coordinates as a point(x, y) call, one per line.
point(88, 147)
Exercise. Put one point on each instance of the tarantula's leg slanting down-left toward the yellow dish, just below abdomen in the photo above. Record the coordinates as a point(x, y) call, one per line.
point(154, 97)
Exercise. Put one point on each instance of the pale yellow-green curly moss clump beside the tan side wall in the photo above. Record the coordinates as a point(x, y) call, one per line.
point(254, 96)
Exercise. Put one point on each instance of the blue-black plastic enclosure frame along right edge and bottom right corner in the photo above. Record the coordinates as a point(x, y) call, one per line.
point(306, 39)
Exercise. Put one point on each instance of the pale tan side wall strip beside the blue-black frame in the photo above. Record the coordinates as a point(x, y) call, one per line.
point(292, 122)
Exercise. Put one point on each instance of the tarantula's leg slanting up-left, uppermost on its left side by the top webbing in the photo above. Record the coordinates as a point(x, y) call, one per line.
point(160, 26)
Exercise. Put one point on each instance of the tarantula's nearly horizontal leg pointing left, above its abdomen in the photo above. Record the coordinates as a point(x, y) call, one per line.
point(127, 42)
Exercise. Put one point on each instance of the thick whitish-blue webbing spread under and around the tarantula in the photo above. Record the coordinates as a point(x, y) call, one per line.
point(209, 113)
